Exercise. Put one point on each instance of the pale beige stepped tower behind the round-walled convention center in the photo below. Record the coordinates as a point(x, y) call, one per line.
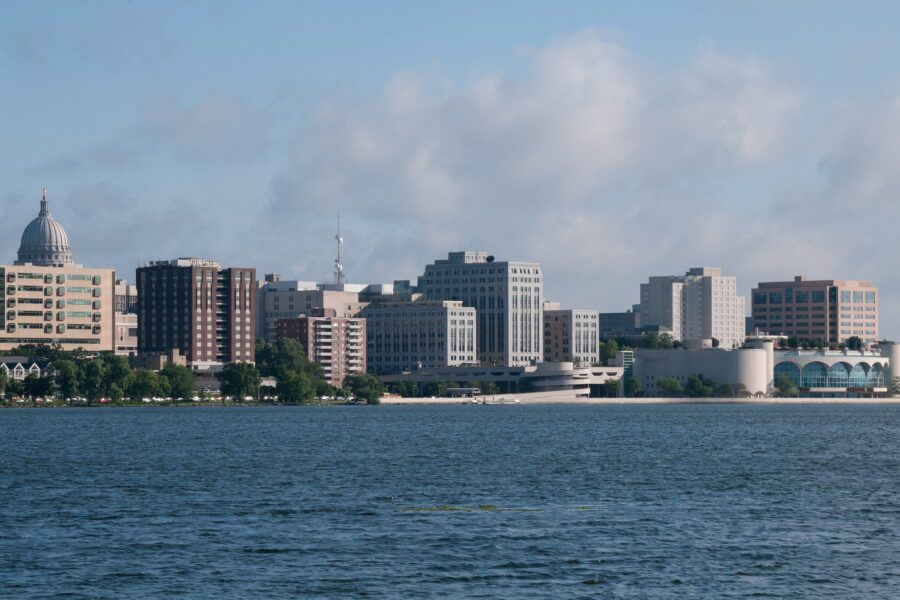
point(701, 304)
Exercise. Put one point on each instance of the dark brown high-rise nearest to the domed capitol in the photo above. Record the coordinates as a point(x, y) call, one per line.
point(197, 307)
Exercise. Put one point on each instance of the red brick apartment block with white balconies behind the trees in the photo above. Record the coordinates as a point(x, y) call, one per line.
point(338, 344)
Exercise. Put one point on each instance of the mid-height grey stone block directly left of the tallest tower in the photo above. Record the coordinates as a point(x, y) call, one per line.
point(406, 335)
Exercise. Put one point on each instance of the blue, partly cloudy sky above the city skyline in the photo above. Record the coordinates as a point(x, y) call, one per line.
point(608, 141)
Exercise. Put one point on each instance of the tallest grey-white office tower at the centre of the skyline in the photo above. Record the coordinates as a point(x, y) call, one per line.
point(508, 297)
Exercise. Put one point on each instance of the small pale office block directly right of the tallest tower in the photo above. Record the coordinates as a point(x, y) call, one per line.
point(571, 335)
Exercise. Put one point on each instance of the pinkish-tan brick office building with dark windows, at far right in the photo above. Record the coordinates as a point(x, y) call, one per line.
point(830, 310)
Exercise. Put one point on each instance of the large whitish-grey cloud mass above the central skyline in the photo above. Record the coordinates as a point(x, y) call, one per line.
point(590, 162)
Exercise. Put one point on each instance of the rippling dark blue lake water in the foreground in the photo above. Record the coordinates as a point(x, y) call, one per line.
point(451, 502)
